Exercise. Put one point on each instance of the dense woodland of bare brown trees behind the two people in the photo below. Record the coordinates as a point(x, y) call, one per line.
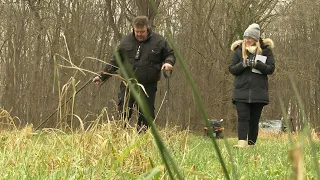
point(43, 43)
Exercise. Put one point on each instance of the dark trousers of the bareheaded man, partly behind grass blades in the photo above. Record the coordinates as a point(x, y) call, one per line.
point(126, 102)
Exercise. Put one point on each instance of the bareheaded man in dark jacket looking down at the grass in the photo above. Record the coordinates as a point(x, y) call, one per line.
point(144, 54)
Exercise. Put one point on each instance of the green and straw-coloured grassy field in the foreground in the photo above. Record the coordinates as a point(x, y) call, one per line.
point(109, 152)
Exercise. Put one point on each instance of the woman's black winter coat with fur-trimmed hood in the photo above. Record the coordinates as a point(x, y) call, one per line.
point(251, 87)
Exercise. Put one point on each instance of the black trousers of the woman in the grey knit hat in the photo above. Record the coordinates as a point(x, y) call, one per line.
point(248, 121)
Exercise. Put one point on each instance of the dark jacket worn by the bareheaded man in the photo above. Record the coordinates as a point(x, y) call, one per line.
point(146, 68)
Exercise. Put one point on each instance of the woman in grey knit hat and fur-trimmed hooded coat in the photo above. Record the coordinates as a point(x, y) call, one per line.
point(252, 62)
